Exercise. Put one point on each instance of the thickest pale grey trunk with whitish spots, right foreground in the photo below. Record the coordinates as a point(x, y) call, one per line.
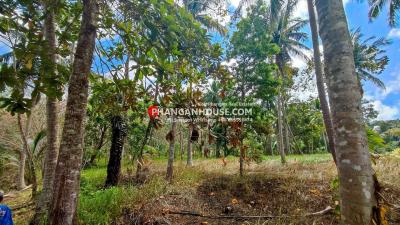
point(356, 176)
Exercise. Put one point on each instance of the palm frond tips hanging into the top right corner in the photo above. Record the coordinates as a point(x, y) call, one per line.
point(376, 7)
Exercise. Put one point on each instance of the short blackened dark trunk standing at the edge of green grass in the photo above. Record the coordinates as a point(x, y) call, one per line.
point(117, 144)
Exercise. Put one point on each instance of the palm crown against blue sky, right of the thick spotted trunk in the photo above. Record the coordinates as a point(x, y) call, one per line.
point(368, 57)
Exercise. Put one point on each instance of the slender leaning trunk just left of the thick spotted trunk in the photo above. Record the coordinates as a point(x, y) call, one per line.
point(326, 114)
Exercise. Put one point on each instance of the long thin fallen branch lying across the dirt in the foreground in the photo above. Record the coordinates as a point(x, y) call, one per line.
point(237, 217)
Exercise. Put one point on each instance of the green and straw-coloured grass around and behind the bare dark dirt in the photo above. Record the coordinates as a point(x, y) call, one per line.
point(99, 206)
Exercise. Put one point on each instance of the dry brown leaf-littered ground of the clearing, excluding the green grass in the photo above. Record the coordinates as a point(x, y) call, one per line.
point(210, 193)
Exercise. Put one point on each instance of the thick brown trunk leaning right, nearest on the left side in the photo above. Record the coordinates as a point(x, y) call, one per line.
point(66, 184)
